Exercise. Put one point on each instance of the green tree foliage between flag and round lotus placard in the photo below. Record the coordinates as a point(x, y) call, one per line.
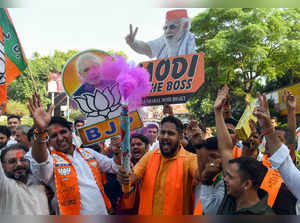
point(41, 66)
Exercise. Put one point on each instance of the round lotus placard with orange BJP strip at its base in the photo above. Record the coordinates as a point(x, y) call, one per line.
point(101, 104)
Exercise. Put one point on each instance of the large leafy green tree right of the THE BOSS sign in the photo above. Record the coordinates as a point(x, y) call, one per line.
point(242, 47)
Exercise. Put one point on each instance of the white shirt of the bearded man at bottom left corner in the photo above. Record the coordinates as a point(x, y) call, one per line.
point(17, 198)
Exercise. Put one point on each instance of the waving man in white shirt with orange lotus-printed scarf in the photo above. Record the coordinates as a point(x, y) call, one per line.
point(73, 173)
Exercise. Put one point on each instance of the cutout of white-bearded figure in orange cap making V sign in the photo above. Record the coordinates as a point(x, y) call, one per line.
point(176, 40)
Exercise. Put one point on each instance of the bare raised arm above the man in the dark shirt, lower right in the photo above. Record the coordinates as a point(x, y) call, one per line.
point(223, 135)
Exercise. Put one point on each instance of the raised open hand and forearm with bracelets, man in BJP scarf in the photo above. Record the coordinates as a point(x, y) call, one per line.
point(41, 119)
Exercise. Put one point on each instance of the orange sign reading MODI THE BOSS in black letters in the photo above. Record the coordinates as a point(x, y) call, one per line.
point(174, 79)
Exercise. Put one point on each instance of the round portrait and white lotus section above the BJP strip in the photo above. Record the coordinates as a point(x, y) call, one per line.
point(99, 102)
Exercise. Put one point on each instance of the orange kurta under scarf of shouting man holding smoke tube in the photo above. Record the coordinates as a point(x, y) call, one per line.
point(189, 170)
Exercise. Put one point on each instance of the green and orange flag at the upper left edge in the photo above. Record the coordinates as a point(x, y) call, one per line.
point(12, 59)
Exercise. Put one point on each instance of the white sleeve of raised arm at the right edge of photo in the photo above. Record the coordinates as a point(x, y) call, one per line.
point(282, 161)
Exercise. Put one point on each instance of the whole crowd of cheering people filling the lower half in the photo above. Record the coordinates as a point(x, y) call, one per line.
point(177, 169)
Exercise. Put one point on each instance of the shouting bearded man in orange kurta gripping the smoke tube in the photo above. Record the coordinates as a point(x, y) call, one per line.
point(166, 173)
